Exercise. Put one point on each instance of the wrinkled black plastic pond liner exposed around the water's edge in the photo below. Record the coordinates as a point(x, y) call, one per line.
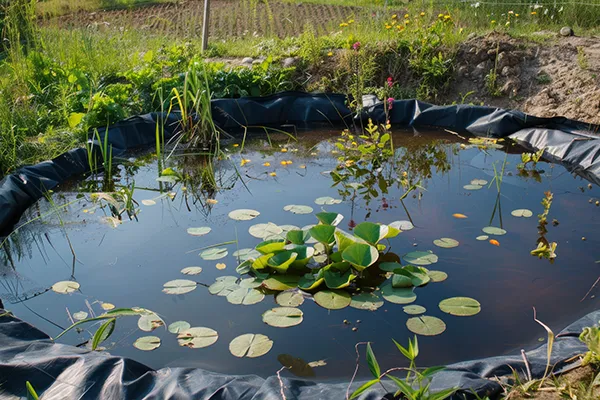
point(64, 372)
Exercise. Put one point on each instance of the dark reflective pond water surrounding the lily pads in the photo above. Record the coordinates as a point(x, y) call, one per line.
point(127, 263)
